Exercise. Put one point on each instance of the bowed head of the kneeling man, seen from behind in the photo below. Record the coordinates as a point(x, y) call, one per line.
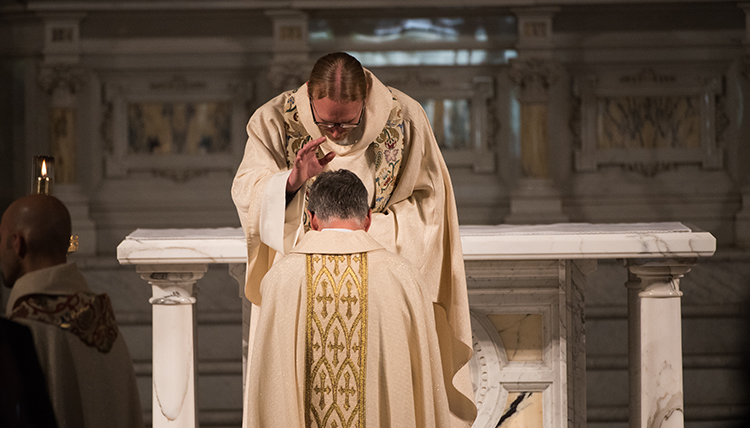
point(338, 200)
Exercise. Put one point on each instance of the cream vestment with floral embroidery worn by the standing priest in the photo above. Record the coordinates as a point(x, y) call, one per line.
point(414, 213)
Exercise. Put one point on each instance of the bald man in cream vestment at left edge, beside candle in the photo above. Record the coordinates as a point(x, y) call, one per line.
point(82, 354)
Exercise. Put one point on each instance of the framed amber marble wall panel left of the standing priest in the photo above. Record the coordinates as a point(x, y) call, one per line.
point(174, 126)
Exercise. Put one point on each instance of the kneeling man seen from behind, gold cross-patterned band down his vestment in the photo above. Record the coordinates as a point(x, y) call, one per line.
point(346, 331)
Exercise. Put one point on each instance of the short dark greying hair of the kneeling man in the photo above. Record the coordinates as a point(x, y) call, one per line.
point(338, 194)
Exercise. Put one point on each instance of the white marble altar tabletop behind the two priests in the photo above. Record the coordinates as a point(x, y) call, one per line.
point(502, 242)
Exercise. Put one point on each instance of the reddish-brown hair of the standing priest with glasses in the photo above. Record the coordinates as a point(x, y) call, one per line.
point(339, 77)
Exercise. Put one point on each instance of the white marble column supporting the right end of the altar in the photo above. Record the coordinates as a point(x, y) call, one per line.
point(655, 343)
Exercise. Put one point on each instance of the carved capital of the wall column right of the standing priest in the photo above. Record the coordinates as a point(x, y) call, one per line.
point(534, 77)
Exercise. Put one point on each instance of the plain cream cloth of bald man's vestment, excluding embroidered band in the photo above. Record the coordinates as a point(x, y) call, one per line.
point(88, 388)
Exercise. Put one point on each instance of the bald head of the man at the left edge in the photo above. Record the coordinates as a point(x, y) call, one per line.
point(34, 234)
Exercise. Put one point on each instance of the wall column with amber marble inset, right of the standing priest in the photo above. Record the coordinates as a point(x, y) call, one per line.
point(535, 200)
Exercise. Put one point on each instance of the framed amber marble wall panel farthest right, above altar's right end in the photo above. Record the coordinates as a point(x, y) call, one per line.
point(648, 121)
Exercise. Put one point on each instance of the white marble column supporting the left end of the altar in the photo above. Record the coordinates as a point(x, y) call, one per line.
point(174, 351)
